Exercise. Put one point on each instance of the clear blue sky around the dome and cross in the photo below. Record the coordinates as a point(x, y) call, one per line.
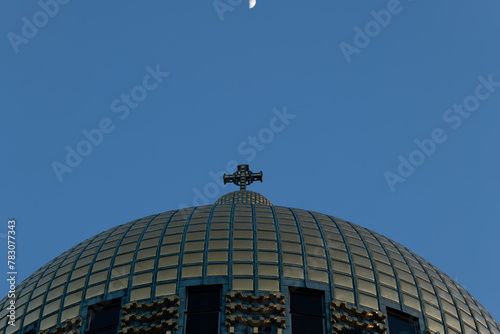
point(383, 113)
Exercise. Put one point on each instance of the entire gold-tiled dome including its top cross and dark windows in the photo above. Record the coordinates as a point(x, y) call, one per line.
point(241, 265)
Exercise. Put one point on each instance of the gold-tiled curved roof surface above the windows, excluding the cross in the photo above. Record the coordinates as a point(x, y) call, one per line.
point(246, 247)
